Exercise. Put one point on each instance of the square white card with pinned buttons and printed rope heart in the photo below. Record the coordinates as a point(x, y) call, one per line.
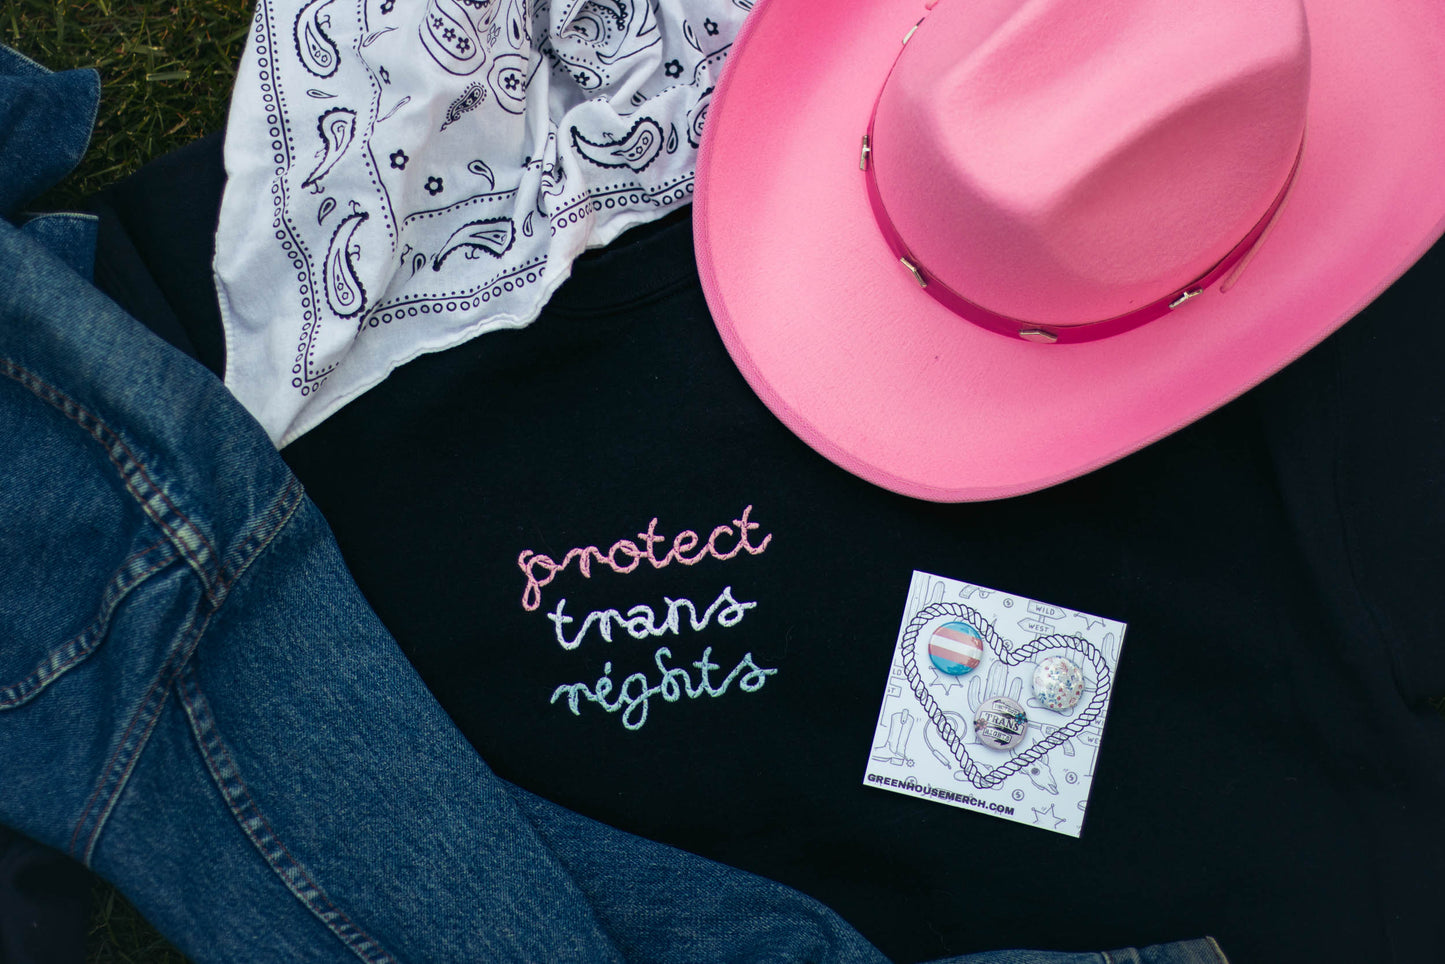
point(963, 654)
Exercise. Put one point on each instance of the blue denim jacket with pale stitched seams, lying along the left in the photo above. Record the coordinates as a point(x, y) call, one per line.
point(197, 703)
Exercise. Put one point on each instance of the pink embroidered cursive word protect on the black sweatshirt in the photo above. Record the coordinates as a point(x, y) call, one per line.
point(625, 556)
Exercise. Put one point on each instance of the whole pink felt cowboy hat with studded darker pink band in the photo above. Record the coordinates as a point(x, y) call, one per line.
point(969, 249)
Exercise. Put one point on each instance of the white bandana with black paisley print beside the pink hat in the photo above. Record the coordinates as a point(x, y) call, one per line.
point(405, 176)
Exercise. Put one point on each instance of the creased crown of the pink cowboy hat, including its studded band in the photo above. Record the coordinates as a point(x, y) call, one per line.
point(1066, 226)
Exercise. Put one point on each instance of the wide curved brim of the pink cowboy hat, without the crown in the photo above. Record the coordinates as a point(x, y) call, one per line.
point(866, 368)
